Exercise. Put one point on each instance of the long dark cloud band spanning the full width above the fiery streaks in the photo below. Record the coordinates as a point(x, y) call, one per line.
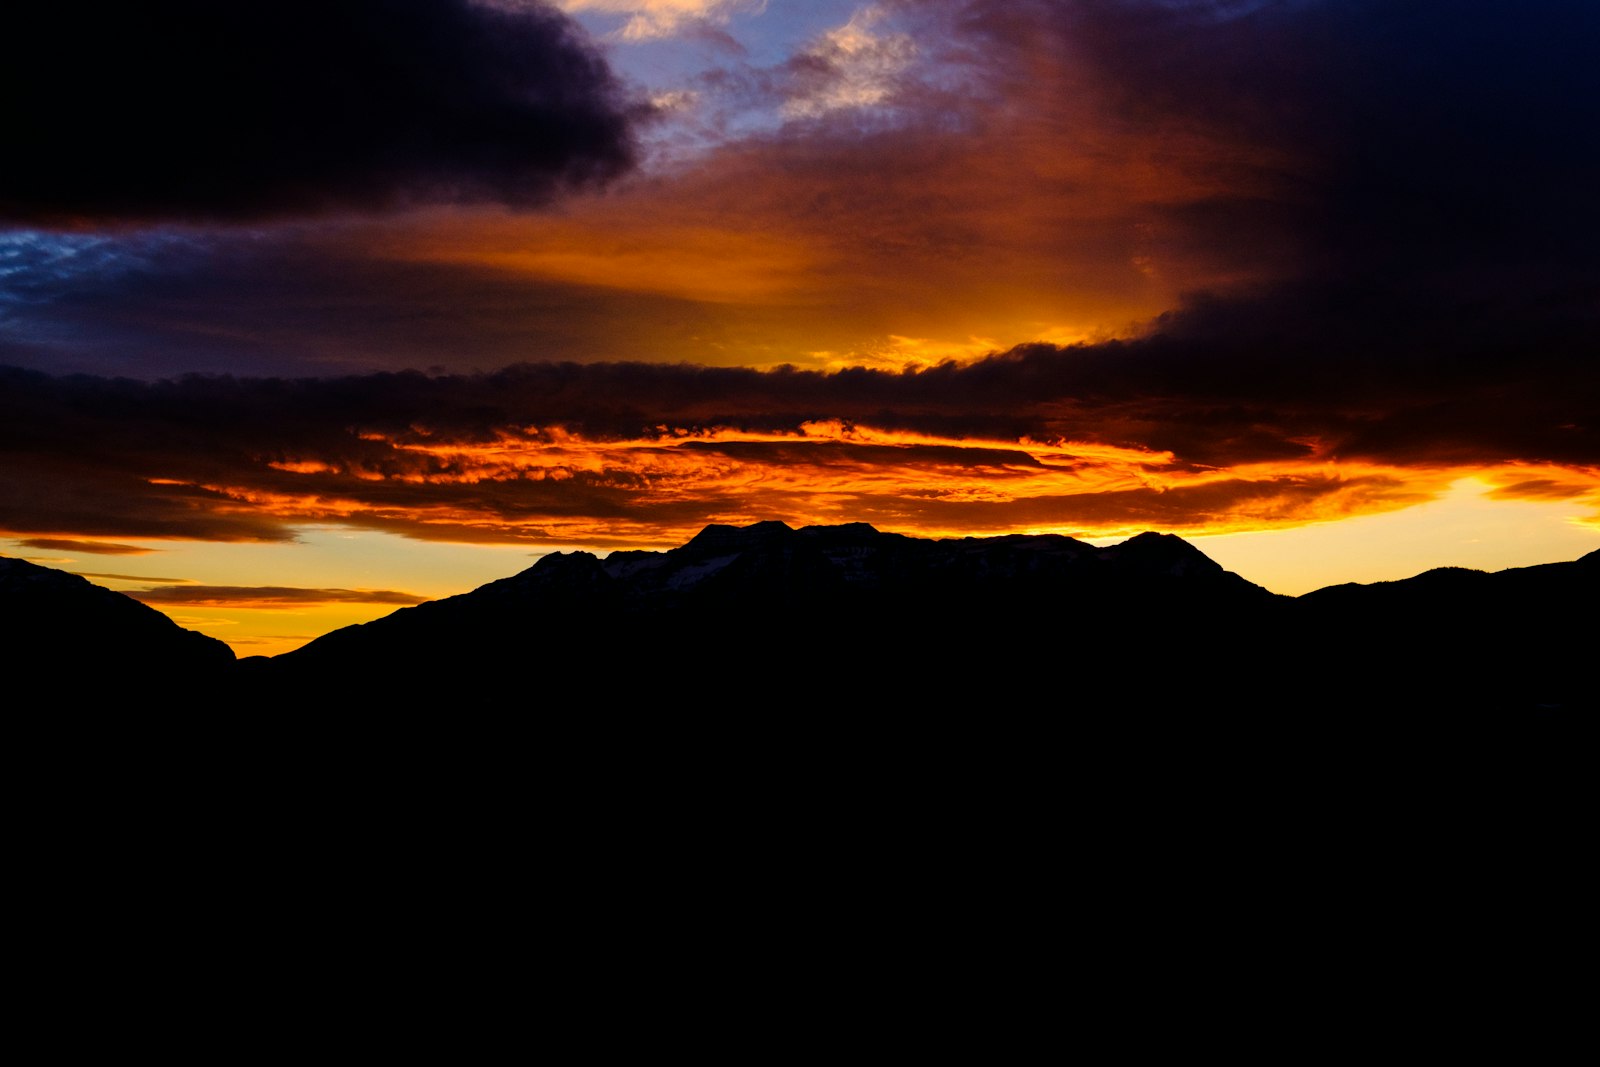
point(1209, 402)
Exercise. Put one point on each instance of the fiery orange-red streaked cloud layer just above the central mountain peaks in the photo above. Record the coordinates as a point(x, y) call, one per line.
point(551, 486)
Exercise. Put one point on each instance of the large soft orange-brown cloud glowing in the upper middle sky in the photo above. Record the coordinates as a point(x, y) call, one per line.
point(1020, 209)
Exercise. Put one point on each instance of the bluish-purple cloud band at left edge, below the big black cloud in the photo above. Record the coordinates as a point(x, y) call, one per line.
point(298, 303)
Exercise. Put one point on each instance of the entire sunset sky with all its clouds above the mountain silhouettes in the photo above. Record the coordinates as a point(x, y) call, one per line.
point(318, 310)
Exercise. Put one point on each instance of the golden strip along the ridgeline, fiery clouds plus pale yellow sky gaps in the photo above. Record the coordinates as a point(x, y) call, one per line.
point(1287, 527)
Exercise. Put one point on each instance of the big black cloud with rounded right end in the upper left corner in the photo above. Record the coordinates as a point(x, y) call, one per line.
point(194, 110)
